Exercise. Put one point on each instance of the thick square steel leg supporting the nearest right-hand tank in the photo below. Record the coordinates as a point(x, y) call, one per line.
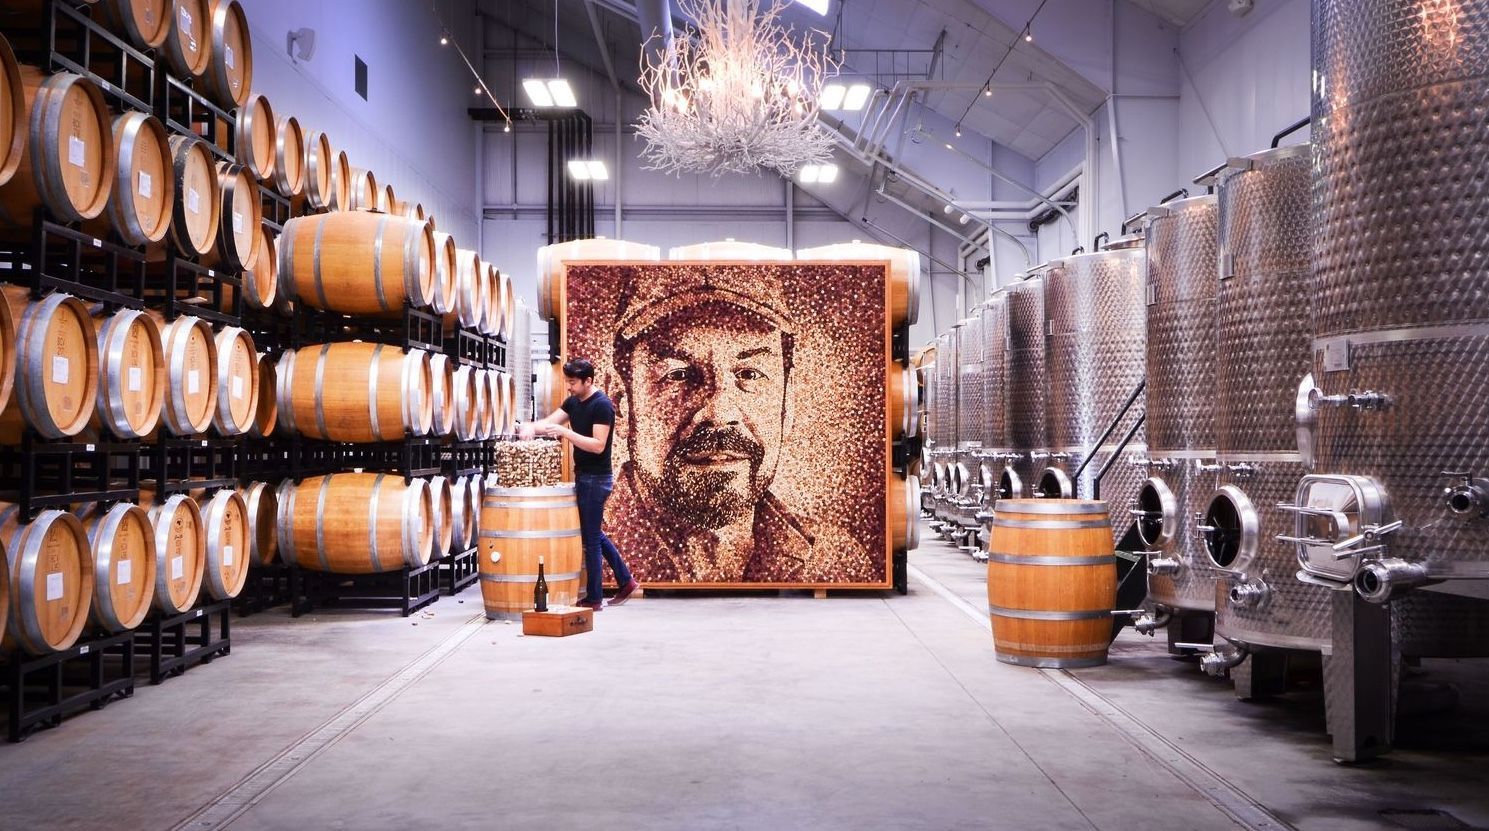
point(1360, 680)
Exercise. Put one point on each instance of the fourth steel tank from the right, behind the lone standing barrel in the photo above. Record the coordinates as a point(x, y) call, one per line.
point(1095, 358)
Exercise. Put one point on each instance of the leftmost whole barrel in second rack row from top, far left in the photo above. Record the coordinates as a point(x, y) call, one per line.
point(68, 163)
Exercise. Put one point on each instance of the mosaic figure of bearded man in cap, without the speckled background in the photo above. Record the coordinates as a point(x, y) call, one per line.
point(707, 366)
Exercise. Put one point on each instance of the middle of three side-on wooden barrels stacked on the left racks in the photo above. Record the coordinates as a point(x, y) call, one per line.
point(355, 392)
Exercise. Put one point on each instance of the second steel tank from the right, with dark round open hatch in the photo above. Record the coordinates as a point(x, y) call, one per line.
point(1262, 357)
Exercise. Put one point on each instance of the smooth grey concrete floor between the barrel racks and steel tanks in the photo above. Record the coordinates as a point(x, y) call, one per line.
point(867, 711)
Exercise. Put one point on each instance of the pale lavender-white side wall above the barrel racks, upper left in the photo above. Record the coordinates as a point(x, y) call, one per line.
point(413, 132)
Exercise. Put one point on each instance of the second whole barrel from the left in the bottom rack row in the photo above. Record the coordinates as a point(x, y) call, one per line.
point(123, 544)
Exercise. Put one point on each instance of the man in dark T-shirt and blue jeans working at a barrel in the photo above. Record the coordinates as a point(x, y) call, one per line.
point(592, 419)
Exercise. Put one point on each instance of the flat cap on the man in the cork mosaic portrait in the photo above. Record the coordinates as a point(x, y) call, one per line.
point(656, 294)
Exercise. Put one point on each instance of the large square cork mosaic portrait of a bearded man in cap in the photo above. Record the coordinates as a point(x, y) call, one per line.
point(751, 439)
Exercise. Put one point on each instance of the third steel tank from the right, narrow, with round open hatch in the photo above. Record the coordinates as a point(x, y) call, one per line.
point(1180, 465)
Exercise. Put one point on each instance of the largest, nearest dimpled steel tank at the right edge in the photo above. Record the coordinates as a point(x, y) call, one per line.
point(1399, 504)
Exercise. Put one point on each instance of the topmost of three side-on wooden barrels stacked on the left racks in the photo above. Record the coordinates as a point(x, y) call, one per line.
point(358, 263)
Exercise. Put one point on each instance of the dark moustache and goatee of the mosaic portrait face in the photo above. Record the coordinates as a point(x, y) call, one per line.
point(712, 477)
